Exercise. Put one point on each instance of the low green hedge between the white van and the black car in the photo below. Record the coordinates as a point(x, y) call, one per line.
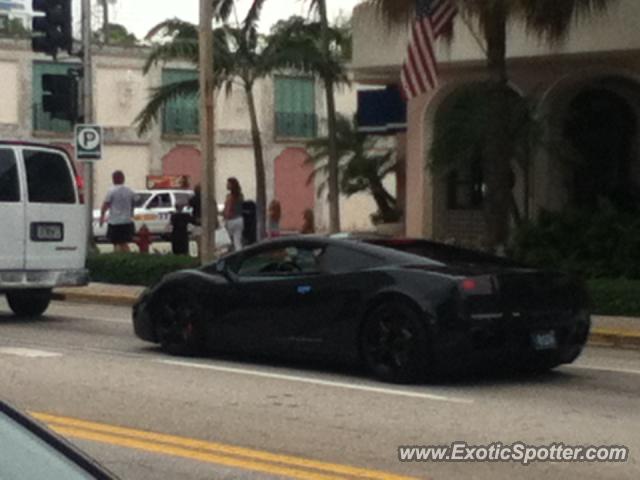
point(136, 269)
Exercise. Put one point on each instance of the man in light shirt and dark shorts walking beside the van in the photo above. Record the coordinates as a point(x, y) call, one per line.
point(119, 202)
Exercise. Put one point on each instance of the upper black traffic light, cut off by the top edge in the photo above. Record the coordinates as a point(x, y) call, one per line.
point(53, 31)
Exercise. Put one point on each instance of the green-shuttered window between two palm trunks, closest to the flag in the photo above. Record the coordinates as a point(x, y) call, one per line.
point(295, 106)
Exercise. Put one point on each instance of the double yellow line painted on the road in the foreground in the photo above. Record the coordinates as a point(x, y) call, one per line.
point(202, 447)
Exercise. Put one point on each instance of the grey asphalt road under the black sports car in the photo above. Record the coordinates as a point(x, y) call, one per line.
point(146, 415)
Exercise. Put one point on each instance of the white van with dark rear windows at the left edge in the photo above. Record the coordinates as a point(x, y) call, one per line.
point(42, 226)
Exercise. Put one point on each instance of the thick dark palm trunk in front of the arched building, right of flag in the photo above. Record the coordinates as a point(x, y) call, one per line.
point(498, 154)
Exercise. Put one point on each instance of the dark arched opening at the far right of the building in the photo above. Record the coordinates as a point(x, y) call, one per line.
point(601, 127)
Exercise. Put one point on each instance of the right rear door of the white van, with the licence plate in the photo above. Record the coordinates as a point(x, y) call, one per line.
point(56, 224)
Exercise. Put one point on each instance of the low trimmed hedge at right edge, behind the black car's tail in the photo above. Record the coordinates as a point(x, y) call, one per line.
point(615, 296)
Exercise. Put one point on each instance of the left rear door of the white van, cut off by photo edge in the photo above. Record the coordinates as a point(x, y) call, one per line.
point(12, 213)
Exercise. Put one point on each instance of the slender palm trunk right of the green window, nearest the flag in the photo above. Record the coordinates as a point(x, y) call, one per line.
point(334, 182)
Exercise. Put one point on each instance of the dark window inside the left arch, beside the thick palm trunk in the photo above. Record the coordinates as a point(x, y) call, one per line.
point(465, 188)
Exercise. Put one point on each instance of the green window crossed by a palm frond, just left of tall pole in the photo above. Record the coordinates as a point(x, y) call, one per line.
point(180, 114)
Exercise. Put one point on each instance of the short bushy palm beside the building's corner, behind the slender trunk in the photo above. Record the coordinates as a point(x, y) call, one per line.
point(363, 167)
